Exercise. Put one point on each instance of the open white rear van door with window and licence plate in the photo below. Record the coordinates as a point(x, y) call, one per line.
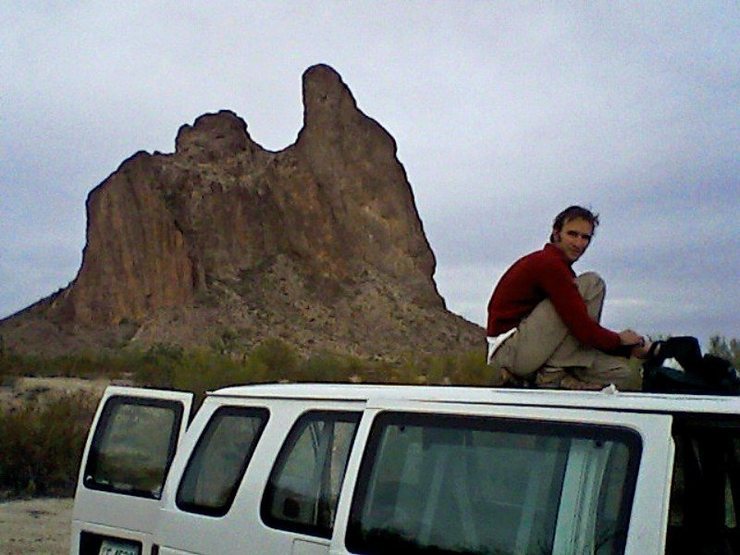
point(131, 444)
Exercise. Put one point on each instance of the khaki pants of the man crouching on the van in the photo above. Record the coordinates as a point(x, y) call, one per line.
point(543, 351)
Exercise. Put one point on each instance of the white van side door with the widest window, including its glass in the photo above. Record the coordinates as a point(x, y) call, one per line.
point(447, 478)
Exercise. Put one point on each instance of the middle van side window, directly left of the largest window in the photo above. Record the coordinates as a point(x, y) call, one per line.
point(303, 489)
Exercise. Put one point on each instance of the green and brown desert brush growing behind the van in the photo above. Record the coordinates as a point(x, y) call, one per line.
point(42, 440)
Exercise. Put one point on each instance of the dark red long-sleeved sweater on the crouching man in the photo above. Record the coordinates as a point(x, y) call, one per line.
point(535, 277)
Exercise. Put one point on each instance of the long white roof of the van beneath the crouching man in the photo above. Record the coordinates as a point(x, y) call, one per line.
point(607, 399)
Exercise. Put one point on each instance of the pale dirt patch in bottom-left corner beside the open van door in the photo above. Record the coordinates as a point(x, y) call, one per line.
point(35, 526)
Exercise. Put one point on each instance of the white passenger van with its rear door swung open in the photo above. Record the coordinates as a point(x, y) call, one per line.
point(311, 469)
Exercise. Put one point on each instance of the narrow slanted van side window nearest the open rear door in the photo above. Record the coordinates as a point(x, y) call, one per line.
point(219, 460)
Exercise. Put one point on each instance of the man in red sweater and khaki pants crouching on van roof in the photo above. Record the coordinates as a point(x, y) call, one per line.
point(543, 321)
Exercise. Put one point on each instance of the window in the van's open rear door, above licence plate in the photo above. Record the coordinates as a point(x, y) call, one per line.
point(133, 446)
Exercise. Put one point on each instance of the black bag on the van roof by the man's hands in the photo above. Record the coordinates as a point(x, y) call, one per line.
point(701, 374)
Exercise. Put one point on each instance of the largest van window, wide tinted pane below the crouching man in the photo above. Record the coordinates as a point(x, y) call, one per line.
point(473, 485)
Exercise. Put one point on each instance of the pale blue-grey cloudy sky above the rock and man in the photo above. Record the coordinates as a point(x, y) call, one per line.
point(504, 113)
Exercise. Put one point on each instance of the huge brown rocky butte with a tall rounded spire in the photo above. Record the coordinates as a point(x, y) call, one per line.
point(319, 244)
